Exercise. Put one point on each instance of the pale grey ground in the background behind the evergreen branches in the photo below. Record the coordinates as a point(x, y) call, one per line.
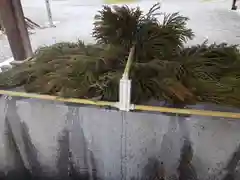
point(209, 19)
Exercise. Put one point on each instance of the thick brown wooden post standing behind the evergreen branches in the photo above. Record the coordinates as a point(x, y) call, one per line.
point(12, 17)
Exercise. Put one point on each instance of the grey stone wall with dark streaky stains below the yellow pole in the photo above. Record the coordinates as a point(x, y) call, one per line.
point(50, 139)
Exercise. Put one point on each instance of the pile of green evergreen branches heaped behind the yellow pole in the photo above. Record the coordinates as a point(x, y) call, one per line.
point(162, 69)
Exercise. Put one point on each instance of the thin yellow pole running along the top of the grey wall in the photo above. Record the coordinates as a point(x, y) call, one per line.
point(113, 104)
